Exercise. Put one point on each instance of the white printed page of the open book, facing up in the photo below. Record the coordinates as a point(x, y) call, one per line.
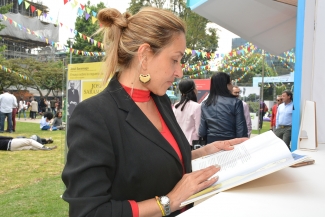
point(246, 157)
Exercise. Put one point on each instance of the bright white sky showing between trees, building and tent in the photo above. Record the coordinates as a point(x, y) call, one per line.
point(67, 15)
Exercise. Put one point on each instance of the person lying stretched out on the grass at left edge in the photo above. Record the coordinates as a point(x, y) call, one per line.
point(19, 144)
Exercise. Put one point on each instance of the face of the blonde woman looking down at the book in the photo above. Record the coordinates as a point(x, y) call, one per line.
point(166, 66)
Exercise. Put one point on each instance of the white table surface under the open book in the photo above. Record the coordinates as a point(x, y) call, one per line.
point(297, 192)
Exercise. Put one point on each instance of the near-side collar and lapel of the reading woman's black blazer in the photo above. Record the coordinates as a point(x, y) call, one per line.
point(137, 119)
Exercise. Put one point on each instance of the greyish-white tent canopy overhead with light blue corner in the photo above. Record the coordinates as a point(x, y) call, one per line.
point(268, 24)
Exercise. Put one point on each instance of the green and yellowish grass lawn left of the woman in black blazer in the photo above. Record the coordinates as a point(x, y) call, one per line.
point(31, 180)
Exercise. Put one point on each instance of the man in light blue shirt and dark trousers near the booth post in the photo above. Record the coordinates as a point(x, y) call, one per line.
point(284, 118)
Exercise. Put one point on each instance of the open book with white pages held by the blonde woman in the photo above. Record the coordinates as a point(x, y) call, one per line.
point(252, 159)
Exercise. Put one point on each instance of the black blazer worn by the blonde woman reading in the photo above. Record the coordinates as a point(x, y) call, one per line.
point(116, 154)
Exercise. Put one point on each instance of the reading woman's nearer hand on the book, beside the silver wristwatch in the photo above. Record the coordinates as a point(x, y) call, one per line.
point(190, 184)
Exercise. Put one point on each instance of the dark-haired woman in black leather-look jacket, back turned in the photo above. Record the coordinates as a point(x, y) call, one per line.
point(222, 115)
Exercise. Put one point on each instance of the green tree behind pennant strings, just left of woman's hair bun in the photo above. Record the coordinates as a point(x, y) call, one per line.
point(86, 27)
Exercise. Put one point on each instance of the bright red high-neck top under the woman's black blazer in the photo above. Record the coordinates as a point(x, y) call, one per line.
point(144, 96)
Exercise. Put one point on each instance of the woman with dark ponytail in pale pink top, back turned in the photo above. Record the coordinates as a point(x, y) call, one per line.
point(188, 111)
